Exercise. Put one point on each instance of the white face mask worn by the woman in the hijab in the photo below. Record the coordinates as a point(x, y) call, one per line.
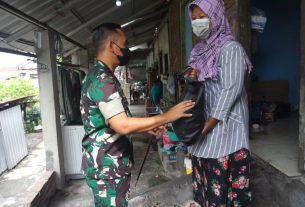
point(201, 27)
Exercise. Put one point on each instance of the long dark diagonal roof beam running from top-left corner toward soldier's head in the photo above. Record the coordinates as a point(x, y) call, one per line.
point(12, 10)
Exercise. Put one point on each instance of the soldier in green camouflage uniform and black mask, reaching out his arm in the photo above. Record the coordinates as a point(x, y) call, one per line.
point(107, 151)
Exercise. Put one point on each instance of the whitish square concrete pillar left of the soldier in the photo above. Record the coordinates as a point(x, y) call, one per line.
point(50, 109)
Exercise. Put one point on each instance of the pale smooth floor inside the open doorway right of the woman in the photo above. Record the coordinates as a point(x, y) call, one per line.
point(277, 144)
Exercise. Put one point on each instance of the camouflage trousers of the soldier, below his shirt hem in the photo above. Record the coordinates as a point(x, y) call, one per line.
point(110, 193)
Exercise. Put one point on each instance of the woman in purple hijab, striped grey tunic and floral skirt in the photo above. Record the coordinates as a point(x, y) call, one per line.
point(221, 161)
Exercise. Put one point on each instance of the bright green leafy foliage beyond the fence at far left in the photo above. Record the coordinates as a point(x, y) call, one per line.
point(16, 88)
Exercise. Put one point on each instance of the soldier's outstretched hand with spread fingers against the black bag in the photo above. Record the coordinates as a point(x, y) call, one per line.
point(178, 111)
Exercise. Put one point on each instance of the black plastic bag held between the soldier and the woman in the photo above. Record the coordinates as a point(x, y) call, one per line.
point(189, 130)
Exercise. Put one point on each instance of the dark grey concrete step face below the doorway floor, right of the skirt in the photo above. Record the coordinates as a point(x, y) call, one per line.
point(273, 188)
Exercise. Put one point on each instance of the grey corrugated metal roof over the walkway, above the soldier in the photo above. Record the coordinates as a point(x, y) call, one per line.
point(76, 19)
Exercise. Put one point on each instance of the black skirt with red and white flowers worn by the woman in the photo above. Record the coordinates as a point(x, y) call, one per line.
point(222, 182)
